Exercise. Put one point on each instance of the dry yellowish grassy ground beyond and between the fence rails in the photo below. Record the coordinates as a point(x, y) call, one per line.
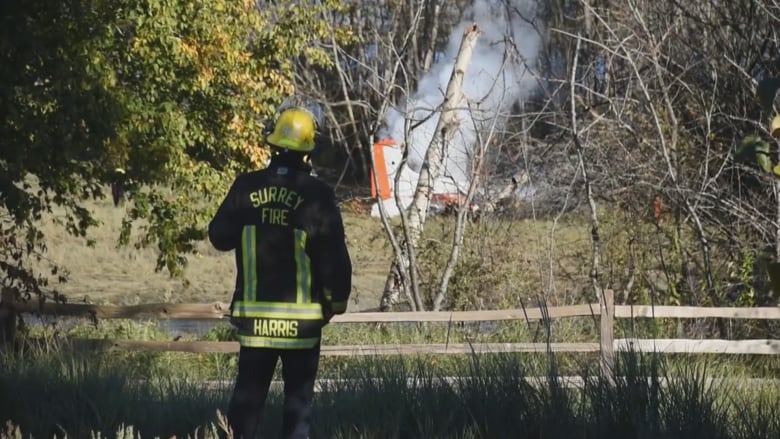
point(504, 264)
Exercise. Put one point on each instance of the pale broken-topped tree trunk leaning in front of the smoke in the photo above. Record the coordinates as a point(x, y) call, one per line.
point(431, 170)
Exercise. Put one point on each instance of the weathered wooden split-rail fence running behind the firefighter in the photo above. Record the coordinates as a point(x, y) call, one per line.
point(606, 311)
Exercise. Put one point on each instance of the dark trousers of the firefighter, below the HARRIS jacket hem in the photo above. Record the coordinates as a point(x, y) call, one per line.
point(255, 371)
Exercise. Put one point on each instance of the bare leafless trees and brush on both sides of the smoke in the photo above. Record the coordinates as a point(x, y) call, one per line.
point(657, 96)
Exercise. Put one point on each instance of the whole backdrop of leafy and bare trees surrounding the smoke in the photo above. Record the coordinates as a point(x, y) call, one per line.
point(650, 99)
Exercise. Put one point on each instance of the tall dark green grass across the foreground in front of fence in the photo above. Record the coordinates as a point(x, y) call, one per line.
point(58, 392)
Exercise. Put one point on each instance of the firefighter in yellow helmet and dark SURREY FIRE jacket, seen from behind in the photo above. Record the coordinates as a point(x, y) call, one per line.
point(294, 273)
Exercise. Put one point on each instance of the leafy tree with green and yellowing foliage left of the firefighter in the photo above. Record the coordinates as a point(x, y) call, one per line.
point(173, 92)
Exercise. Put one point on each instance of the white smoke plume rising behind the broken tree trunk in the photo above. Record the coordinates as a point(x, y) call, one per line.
point(499, 75)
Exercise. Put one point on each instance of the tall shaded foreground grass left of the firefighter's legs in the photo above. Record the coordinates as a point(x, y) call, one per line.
point(54, 393)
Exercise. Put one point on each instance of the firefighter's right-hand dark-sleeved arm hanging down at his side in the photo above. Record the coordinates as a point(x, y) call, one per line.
point(333, 259)
